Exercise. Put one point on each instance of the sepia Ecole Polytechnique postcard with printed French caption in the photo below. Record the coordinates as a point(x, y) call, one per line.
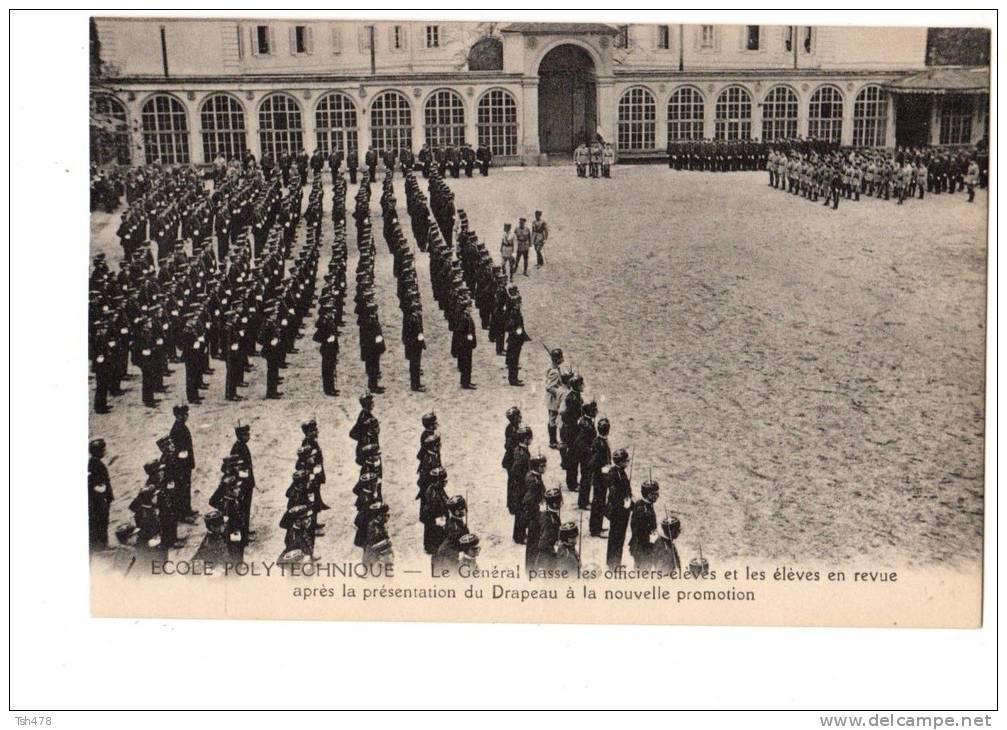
point(537, 322)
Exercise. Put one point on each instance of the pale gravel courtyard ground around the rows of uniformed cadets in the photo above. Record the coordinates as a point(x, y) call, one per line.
point(805, 384)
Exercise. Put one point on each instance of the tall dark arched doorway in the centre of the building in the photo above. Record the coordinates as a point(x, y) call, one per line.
point(568, 107)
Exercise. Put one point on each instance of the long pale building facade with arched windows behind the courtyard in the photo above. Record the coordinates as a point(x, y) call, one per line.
point(183, 90)
